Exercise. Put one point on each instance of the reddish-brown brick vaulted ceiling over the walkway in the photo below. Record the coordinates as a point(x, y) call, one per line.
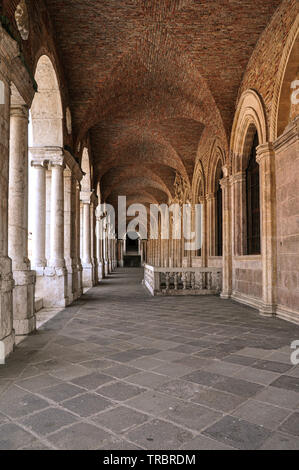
point(148, 77)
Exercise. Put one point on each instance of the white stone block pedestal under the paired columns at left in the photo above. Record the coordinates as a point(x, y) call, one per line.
point(51, 286)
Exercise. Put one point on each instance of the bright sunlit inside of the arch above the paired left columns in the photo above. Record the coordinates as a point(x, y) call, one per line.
point(46, 109)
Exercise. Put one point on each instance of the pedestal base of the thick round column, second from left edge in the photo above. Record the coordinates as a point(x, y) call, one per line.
point(24, 320)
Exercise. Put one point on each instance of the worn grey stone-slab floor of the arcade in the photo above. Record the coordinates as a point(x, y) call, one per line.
point(122, 370)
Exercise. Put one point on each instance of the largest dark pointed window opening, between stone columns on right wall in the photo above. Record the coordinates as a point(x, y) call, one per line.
point(253, 201)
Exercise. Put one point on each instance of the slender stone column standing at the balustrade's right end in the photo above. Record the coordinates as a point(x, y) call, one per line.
point(227, 236)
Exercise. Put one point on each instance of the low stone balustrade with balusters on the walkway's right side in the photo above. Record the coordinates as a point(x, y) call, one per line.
point(182, 281)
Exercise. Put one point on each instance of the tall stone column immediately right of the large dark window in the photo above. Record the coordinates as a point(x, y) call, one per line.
point(266, 161)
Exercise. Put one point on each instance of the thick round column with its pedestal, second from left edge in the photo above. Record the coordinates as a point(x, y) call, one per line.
point(23, 295)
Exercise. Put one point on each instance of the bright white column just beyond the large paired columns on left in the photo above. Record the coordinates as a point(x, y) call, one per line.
point(86, 241)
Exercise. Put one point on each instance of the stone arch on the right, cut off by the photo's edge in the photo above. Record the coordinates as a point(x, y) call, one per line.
point(285, 86)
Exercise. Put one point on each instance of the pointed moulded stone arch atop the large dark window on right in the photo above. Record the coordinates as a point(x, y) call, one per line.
point(250, 118)
